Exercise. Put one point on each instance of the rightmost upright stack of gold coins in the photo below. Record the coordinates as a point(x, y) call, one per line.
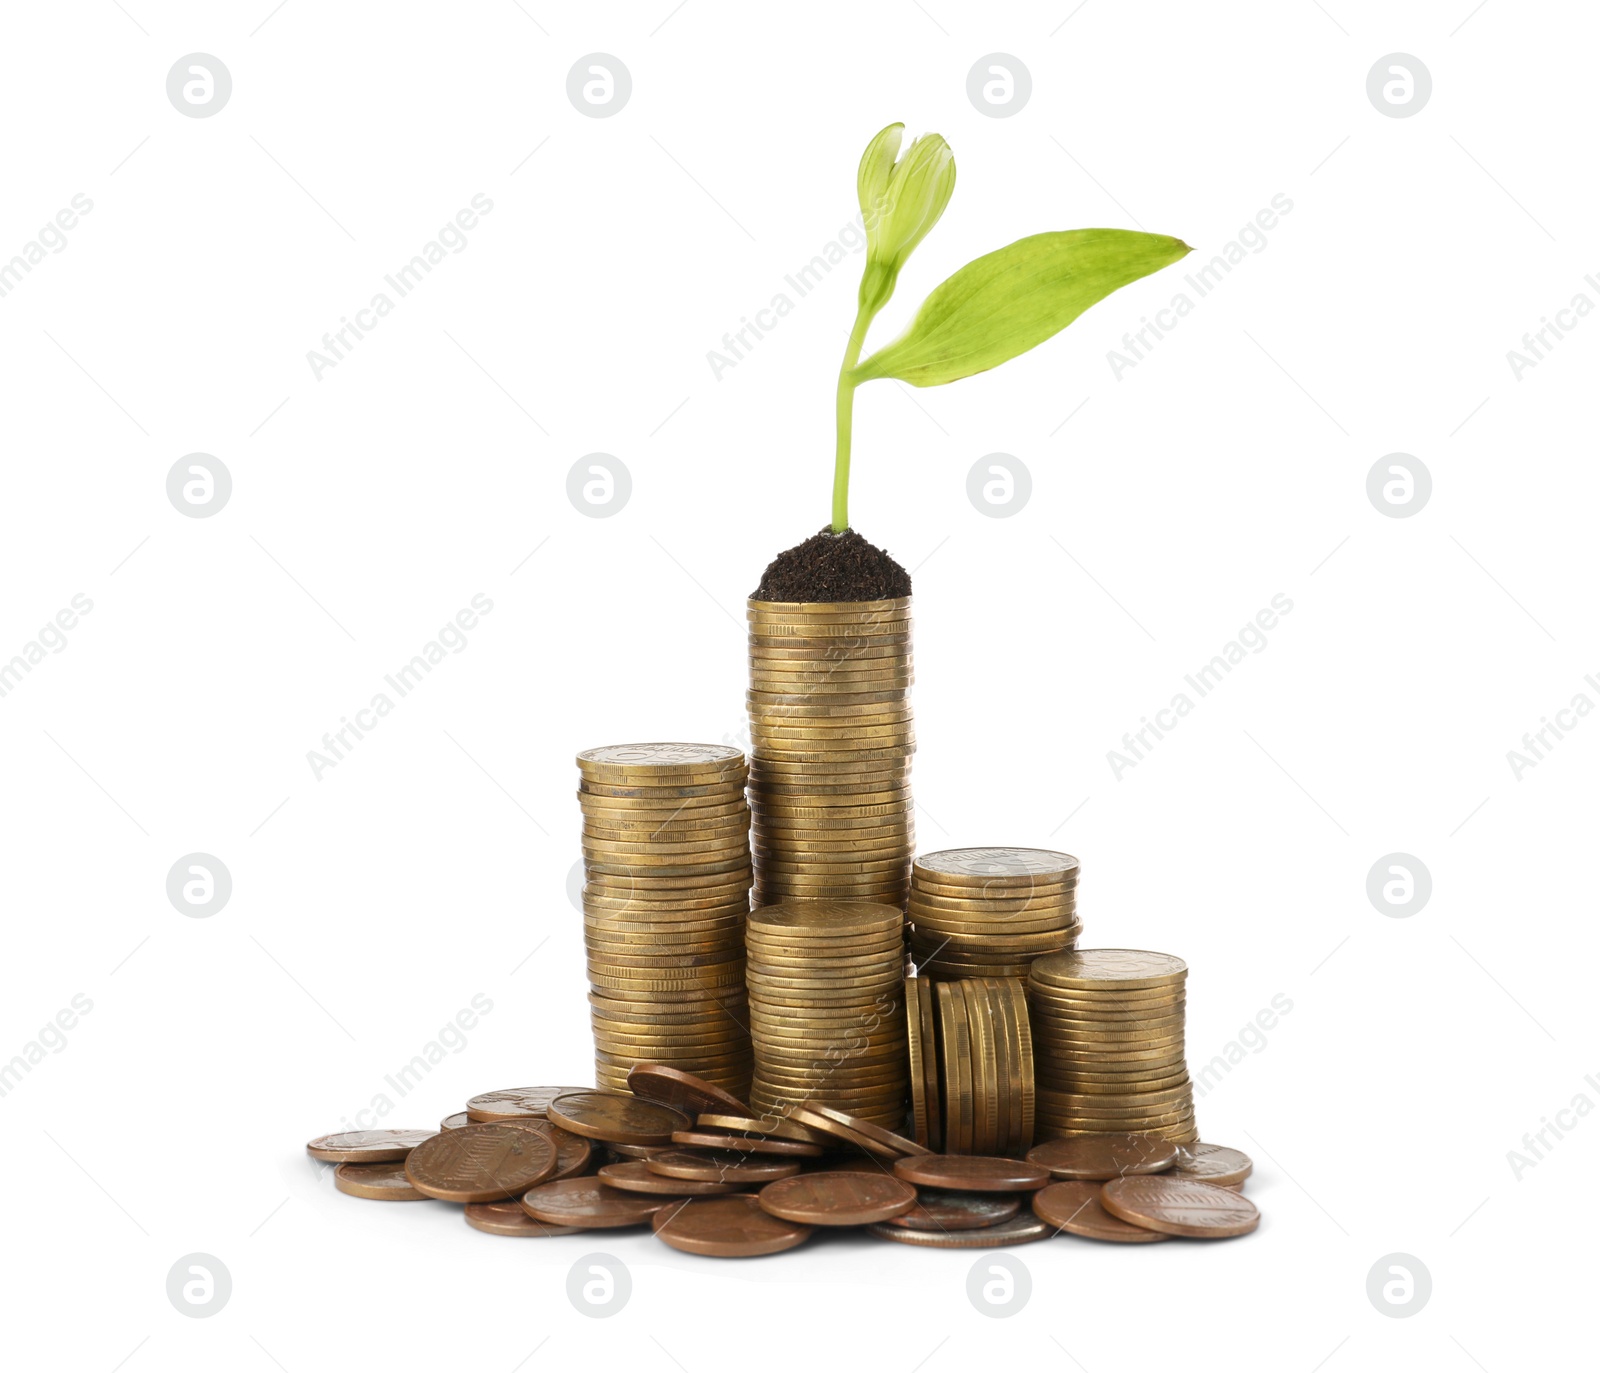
point(1110, 1043)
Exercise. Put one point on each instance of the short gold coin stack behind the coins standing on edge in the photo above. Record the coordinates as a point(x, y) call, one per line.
point(988, 913)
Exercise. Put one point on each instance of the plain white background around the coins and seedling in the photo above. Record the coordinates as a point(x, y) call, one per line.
point(431, 865)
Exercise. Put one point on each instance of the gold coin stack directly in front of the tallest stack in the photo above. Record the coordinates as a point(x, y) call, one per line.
point(826, 1009)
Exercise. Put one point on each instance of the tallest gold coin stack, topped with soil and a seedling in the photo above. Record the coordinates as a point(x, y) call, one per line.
point(831, 743)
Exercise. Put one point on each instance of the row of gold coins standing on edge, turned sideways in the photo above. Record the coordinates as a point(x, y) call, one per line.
point(972, 1065)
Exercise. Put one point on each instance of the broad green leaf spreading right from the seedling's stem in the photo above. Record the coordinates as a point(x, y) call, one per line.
point(1015, 298)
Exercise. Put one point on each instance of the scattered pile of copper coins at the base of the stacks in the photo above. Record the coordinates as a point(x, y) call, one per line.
point(681, 1156)
